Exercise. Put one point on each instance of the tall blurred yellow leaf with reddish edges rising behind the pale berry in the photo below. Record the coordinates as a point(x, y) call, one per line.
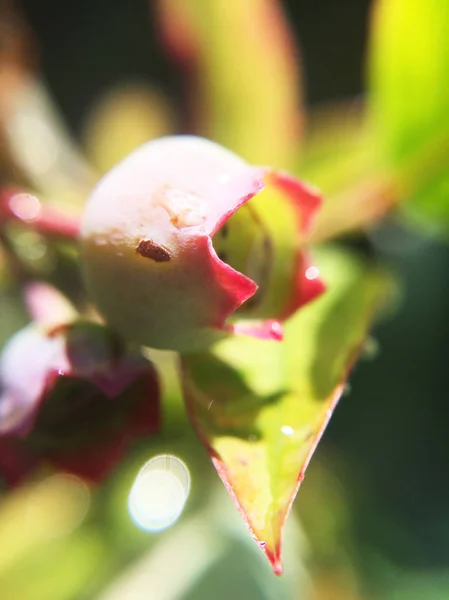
point(244, 73)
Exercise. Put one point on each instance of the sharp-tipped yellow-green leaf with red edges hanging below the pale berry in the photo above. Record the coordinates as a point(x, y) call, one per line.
point(260, 407)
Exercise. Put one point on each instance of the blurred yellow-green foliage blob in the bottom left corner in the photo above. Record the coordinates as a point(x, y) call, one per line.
point(35, 522)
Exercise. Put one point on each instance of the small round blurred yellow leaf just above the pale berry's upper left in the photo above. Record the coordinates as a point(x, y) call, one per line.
point(123, 119)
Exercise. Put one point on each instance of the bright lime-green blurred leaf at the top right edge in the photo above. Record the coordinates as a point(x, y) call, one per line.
point(409, 81)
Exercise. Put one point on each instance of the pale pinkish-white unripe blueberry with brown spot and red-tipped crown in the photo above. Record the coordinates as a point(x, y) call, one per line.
point(148, 248)
